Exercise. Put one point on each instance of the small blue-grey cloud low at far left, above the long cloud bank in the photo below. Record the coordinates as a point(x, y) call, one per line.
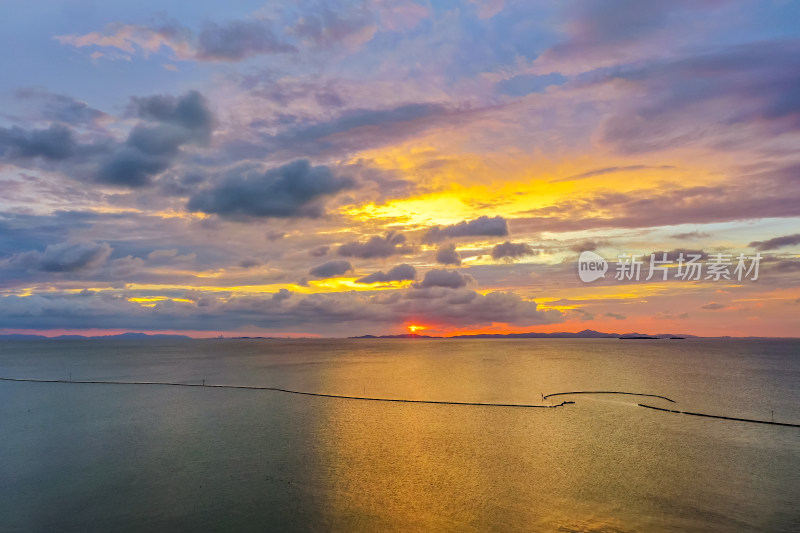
point(64, 257)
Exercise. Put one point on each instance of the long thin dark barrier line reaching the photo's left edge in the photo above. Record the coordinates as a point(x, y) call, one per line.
point(277, 389)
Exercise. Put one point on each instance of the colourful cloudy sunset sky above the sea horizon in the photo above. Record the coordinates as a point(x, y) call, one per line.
point(351, 167)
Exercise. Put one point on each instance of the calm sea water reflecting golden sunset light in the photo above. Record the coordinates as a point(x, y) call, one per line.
point(148, 458)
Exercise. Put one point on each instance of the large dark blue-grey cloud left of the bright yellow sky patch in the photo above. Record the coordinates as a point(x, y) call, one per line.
point(293, 190)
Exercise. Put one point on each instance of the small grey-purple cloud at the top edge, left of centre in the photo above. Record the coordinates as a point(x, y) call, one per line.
point(238, 39)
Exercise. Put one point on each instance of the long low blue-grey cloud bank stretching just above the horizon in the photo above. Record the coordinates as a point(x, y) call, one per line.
point(329, 314)
